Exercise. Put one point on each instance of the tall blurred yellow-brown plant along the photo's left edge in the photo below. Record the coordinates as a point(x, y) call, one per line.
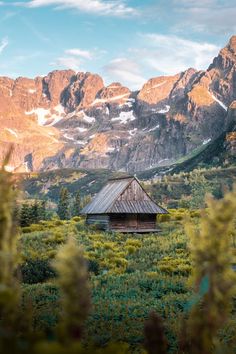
point(9, 286)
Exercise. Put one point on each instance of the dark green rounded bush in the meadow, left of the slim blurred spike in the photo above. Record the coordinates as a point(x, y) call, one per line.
point(36, 271)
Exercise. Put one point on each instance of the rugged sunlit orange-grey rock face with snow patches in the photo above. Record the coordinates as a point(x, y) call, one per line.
point(69, 119)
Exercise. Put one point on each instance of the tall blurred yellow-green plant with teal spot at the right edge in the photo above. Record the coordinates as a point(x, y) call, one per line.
point(213, 277)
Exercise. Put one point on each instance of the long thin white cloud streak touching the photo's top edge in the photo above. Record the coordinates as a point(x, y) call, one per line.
point(101, 7)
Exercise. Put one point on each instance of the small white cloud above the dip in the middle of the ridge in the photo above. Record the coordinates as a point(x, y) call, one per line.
point(125, 70)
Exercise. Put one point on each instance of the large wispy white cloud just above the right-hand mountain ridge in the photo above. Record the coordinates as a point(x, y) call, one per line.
point(170, 54)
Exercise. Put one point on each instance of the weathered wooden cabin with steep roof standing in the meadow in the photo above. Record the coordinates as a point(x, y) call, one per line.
point(123, 206)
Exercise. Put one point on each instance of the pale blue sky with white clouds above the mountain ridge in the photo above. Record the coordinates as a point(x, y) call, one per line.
point(127, 41)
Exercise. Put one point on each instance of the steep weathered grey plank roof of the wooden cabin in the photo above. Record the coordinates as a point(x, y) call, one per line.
point(105, 202)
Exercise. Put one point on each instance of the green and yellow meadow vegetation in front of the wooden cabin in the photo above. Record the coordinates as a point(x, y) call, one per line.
point(132, 278)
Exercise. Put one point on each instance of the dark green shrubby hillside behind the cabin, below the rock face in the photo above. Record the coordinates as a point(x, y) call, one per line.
point(217, 159)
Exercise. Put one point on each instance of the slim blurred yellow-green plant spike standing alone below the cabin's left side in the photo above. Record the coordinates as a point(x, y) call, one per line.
point(73, 282)
